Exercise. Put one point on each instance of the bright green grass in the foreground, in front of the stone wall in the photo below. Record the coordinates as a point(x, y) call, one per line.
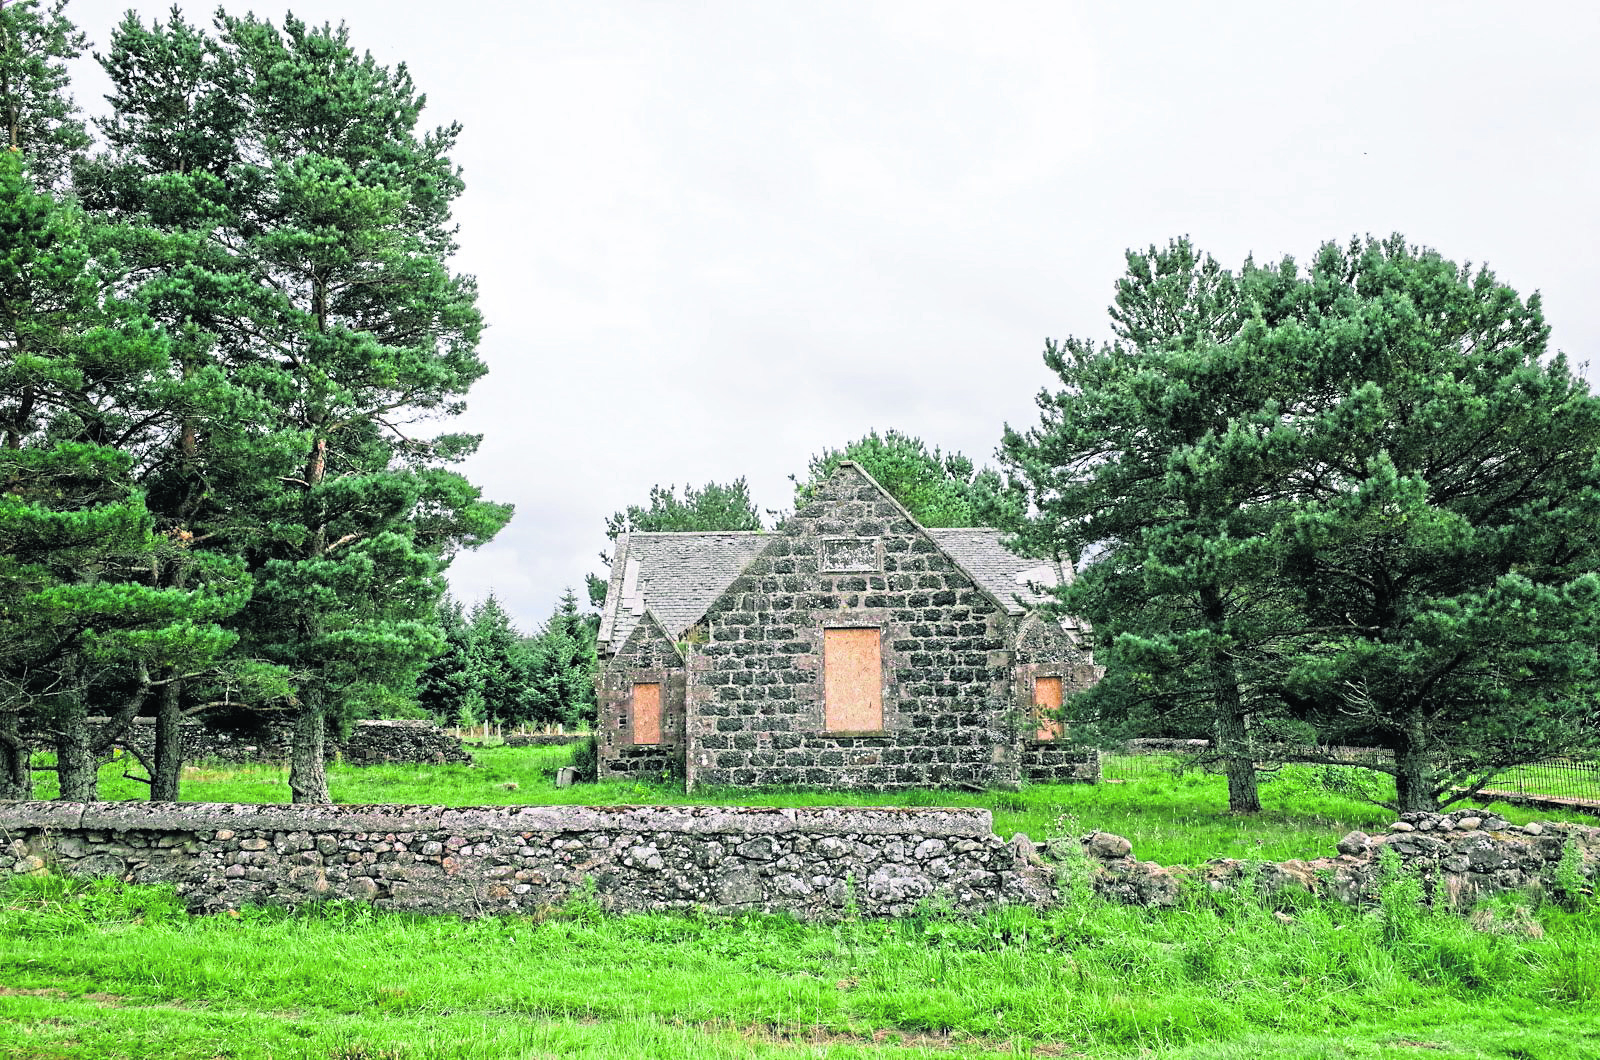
point(103, 970)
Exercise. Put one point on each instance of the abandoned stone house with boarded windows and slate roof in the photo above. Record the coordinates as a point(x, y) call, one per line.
point(850, 649)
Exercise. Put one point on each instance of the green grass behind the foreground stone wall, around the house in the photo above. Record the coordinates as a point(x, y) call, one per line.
point(1170, 819)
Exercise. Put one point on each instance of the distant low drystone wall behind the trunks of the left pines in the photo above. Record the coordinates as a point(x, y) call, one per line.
point(370, 742)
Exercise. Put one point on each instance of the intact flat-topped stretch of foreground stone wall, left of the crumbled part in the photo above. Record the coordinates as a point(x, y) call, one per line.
point(809, 862)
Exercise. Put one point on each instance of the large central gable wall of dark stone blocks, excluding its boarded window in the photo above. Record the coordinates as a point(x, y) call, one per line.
point(852, 558)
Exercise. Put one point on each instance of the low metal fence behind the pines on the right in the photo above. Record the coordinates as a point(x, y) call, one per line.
point(1556, 781)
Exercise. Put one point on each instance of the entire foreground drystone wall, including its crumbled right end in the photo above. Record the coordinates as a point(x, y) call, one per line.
point(815, 862)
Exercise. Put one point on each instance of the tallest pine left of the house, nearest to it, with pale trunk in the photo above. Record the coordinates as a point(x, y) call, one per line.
point(303, 227)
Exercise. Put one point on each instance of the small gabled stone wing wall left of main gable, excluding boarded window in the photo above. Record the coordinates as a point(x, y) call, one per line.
point(649, 656)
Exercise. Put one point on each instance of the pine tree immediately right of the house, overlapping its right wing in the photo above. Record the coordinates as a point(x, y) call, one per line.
point(1164, 454)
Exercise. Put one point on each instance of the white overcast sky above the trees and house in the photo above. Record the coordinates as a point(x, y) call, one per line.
point(714, 239)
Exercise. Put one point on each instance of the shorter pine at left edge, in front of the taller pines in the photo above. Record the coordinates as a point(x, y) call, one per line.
point(84, 388)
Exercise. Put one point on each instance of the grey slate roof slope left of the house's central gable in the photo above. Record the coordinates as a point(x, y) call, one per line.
point(676, 576)
